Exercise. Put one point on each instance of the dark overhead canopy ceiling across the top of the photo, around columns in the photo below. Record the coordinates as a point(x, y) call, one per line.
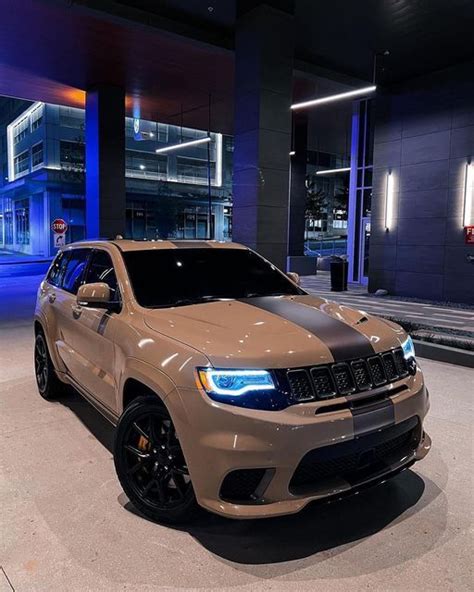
point(171, 55)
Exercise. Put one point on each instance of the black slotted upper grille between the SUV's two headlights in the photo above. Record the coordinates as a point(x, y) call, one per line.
point(326, 382)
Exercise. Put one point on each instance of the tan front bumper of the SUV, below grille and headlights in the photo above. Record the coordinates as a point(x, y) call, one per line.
point(218, 439)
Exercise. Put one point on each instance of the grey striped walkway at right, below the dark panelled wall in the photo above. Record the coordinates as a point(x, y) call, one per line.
point(424, 314)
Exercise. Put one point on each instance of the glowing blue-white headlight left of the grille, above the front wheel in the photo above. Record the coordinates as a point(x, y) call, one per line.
point(234, 383)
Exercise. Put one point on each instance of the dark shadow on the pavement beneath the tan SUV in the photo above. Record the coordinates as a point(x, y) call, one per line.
point(319, 527)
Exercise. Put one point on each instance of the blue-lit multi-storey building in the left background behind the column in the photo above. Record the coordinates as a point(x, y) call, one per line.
point(43, 155)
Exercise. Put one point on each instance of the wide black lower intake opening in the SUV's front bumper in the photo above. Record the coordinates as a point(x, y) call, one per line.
point(356, 460)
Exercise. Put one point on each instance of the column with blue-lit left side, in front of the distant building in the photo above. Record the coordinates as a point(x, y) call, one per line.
point(105, 162)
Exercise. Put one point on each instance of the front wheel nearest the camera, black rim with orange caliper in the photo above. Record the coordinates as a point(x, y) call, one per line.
point(150, 463)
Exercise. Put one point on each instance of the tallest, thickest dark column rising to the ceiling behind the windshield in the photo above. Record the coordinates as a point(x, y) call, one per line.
point(263, 81)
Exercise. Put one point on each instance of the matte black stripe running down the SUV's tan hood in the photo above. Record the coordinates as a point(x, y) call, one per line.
point(344, 342)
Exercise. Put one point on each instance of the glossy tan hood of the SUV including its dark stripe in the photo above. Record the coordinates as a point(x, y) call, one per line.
point(275, 331)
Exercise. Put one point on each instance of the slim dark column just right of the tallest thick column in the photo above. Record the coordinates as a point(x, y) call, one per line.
point(297, 199)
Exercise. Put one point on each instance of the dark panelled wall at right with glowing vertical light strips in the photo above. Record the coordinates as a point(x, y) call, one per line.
point(423, 187)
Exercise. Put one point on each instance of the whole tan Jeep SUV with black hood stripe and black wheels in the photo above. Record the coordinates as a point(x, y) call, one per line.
point(230, 386)
